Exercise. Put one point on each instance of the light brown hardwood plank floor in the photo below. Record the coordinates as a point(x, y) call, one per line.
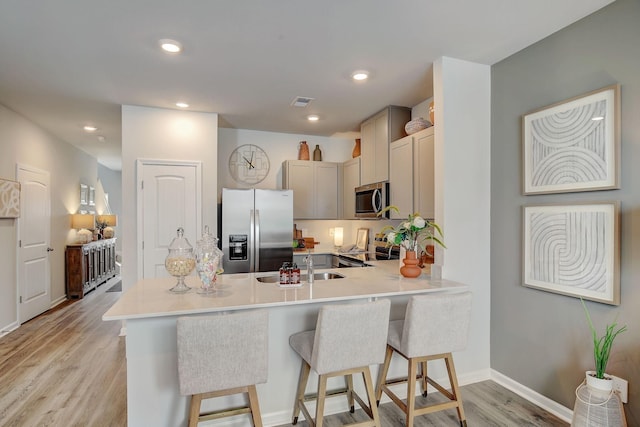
point(67, 368)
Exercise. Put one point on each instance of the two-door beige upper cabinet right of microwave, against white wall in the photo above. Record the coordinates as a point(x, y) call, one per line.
point(411, 178)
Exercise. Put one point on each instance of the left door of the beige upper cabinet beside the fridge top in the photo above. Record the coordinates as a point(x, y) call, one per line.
point(299, 178)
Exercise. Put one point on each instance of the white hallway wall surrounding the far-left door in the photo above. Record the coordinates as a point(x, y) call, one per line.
point(25, 143)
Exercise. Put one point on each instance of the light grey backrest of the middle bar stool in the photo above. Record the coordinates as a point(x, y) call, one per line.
point(350, 335)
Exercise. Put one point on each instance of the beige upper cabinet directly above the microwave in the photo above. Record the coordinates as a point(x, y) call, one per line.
point(376, 133)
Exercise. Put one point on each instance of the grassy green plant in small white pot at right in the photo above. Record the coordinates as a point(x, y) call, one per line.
point(602, 345)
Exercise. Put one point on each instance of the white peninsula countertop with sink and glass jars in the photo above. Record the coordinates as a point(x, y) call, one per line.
point(151, 297)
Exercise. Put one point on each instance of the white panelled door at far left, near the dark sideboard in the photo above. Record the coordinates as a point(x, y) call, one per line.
point(34, 235)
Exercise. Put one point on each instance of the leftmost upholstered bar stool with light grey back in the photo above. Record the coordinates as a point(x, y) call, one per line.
point(221, 355)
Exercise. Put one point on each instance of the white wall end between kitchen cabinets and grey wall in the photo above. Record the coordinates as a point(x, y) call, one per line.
point(462, 100)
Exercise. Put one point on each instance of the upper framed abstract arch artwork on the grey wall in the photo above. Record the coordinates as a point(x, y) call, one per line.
point(573, 145)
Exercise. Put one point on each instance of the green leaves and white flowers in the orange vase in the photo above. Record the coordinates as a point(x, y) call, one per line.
point(413, 234)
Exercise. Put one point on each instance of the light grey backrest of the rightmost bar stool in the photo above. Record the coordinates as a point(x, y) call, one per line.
point(436, 324)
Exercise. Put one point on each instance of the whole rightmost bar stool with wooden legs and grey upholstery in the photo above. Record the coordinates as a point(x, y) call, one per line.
point(434, 326)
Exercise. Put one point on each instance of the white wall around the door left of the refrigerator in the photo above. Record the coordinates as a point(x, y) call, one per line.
point(156, 133)
